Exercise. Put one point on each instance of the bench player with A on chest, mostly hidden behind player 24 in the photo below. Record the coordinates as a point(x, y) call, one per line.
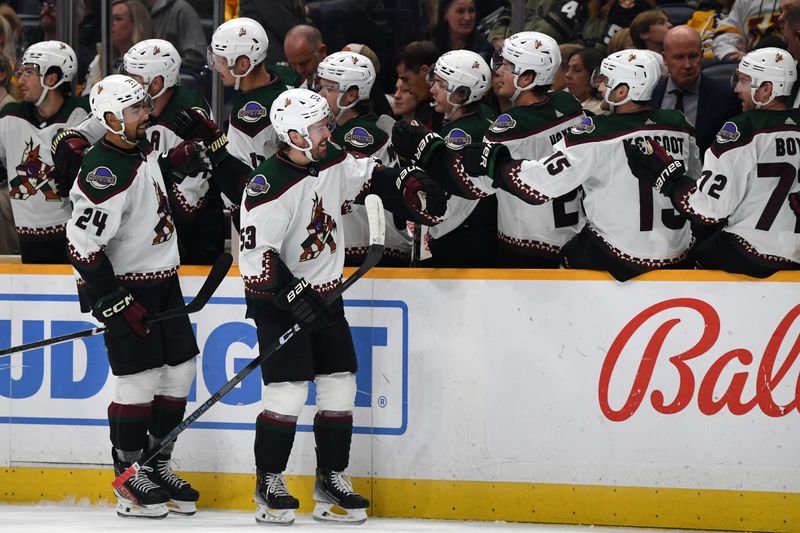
point(197, 205)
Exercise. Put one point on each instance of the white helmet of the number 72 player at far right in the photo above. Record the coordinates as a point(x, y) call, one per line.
point(769, 64)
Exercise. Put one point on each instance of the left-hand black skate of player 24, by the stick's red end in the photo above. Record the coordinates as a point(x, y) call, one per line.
point(139, 496)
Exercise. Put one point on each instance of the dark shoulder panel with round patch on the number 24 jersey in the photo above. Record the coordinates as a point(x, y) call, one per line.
point(105, 172)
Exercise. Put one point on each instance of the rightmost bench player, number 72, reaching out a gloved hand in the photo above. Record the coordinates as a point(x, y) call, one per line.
point(748, 173)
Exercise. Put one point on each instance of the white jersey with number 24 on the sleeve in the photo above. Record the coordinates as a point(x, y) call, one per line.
point(121, 210)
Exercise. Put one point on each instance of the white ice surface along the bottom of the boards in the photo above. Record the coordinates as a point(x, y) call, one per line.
point(66, 519)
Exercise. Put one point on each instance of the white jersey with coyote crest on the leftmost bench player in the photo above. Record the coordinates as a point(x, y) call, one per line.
point(25, 151)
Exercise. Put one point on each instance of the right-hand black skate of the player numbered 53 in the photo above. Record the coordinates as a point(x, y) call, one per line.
point(334, 489)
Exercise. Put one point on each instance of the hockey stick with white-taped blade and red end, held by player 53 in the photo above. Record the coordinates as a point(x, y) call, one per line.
point(377, 233)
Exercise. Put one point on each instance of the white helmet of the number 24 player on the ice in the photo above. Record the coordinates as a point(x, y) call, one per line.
point(114, 94)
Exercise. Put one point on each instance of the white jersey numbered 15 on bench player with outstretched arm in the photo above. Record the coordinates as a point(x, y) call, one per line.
point(634, 221)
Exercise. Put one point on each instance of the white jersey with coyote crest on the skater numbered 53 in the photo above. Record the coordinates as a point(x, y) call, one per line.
point(288, 210)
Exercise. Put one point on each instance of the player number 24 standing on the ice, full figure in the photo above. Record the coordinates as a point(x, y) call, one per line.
point(121, 241)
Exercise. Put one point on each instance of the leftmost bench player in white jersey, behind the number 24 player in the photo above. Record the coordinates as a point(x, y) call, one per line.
point(40, 210)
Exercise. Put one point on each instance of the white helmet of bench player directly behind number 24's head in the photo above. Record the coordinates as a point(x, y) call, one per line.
point(151, 58)
